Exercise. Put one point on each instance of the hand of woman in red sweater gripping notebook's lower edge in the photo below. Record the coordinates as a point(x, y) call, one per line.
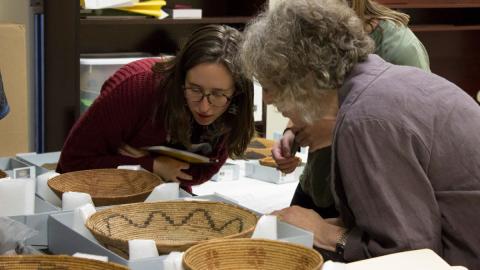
point(171, 169)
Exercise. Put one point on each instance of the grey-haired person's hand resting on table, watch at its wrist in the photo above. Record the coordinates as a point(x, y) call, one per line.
point(326, 232)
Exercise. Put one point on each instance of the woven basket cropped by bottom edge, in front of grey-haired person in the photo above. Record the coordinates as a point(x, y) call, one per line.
point(251, 254)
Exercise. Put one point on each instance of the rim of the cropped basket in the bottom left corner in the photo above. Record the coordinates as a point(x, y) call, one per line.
point(48, 258)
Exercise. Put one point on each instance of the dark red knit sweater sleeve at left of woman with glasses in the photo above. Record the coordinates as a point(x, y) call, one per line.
point(121, 109)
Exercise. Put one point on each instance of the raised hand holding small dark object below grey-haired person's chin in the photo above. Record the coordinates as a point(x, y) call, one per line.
point(286, 162)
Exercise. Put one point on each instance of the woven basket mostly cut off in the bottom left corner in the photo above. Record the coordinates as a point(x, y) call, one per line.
point(51, 262)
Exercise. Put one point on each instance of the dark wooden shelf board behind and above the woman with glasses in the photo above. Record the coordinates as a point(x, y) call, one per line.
point(112, 20)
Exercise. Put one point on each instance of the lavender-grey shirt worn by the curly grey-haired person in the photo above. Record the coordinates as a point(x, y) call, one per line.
point(406, 164)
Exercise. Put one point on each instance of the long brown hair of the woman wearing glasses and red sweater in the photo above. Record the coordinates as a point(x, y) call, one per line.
point(208, 44)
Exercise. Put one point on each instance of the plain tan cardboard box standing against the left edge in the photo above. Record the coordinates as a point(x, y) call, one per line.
point(15, 127)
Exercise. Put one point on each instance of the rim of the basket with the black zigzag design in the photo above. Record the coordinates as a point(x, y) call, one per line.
point(90, 227)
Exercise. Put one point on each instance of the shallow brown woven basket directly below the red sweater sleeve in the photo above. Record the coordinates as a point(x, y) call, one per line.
point(107, 186)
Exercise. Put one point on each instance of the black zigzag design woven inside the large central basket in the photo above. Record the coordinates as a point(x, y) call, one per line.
point(167, 218)
